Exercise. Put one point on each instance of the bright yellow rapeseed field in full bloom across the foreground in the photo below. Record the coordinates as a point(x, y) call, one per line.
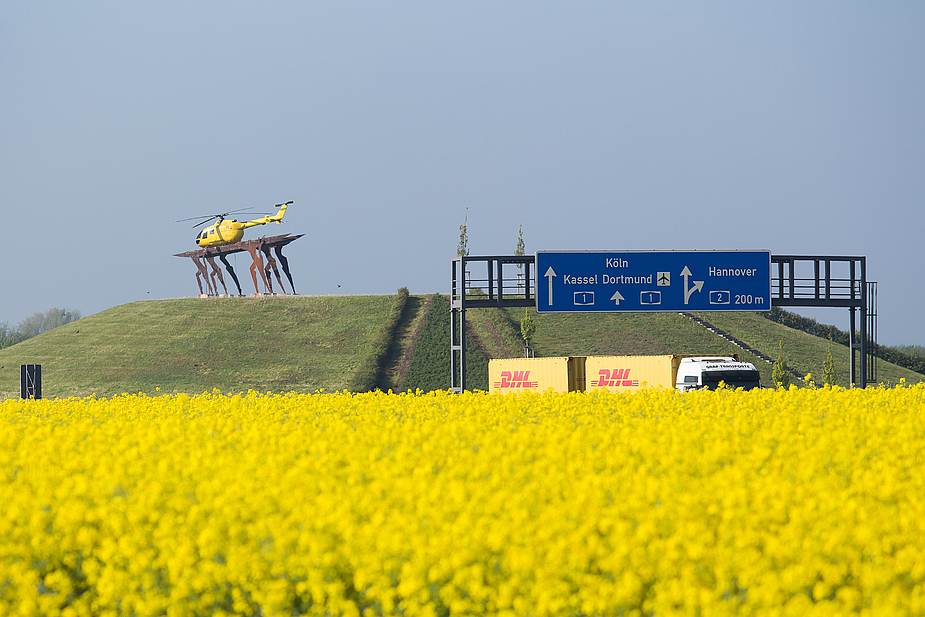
point(799, 502)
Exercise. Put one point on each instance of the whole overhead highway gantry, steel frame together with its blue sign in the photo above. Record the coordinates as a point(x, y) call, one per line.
point(666, 281)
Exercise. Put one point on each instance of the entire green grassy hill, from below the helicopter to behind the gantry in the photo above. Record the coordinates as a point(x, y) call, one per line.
point(302, 344)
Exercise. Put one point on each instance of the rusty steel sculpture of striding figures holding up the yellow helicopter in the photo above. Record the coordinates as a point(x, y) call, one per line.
point(258, 250)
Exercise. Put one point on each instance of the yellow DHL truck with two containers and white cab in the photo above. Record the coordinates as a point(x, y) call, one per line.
point(621, 373)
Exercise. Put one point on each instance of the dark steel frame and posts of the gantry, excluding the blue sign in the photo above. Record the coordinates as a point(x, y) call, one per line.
point(796, 280)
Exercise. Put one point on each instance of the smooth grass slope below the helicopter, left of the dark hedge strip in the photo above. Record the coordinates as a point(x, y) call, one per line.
point(193, 345)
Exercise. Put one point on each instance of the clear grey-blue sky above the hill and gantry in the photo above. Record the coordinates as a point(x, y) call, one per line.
point(792, 127)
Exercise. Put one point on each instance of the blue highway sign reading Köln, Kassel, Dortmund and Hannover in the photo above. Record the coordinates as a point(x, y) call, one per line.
point(631, 281)
